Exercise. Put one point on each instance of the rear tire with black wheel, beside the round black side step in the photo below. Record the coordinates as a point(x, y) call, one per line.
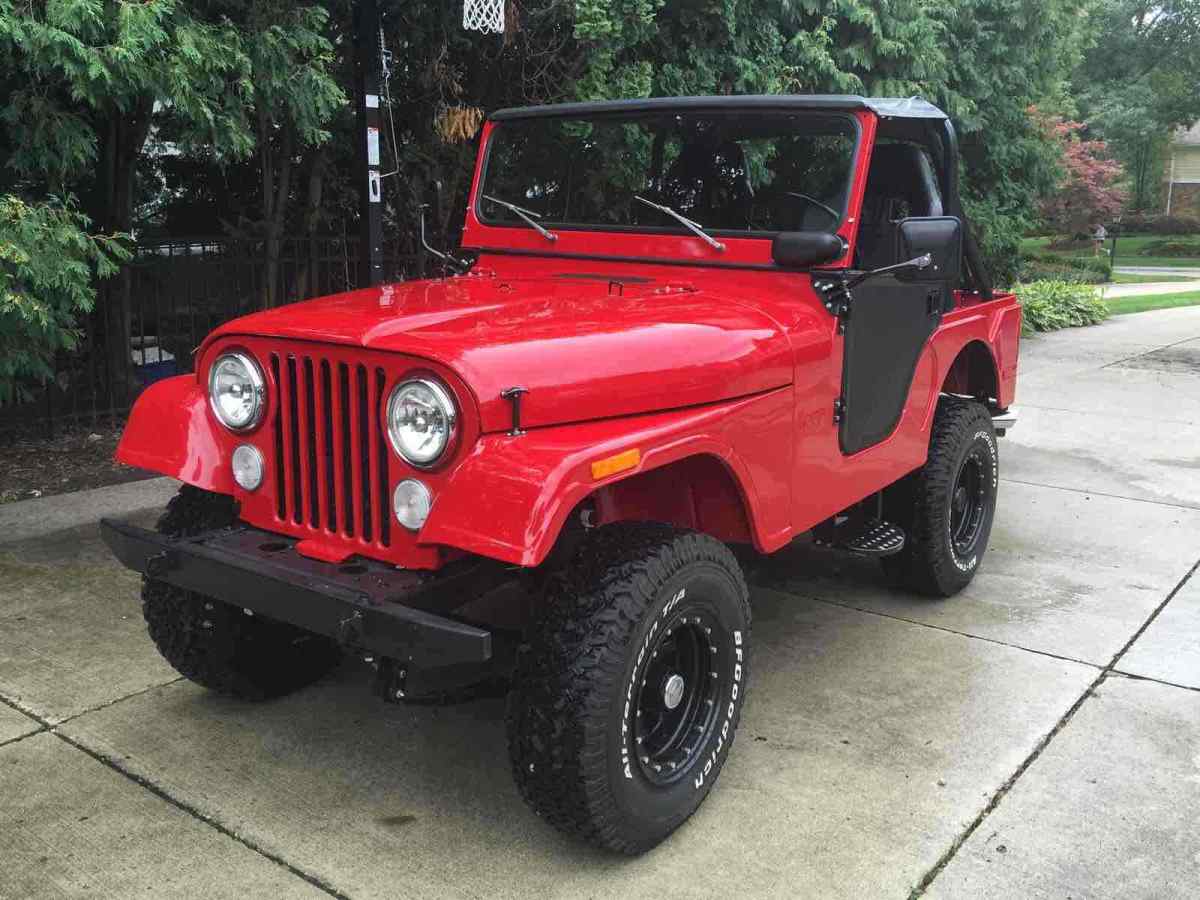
point(947, 507)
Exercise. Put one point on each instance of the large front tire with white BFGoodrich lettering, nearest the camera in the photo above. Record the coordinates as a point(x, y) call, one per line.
point(629, 692)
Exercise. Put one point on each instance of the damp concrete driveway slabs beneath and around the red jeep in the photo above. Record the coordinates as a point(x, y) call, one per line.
point(1039, 736)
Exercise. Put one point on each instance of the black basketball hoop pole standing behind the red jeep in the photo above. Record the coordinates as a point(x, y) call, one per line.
point(367, 77)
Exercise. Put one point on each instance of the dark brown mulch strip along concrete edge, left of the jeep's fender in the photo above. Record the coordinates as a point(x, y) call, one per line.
point(77, 458)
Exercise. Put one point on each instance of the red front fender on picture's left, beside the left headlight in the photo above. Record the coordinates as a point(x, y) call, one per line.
point(171, 433)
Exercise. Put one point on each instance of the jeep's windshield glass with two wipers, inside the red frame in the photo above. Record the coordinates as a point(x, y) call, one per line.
point(741, 172)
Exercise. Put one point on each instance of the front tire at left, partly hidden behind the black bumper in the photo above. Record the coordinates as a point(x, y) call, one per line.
point(220, 646)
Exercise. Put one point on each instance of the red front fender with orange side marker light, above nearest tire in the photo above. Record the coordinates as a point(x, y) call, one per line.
point(511, 497)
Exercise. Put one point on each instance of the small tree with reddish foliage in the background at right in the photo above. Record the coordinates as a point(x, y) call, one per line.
point(1088, 194)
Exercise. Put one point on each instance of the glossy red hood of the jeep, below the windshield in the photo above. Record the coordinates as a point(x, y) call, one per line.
point(585, 349)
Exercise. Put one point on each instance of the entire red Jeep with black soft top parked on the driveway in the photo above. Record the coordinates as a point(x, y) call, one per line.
point(691, 323)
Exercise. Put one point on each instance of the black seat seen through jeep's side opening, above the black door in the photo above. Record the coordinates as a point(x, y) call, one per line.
point(899, 184)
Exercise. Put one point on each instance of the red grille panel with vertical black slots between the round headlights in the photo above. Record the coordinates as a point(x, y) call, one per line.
point(331, 448)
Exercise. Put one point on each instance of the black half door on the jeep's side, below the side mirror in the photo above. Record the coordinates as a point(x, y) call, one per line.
point(887, 328)
